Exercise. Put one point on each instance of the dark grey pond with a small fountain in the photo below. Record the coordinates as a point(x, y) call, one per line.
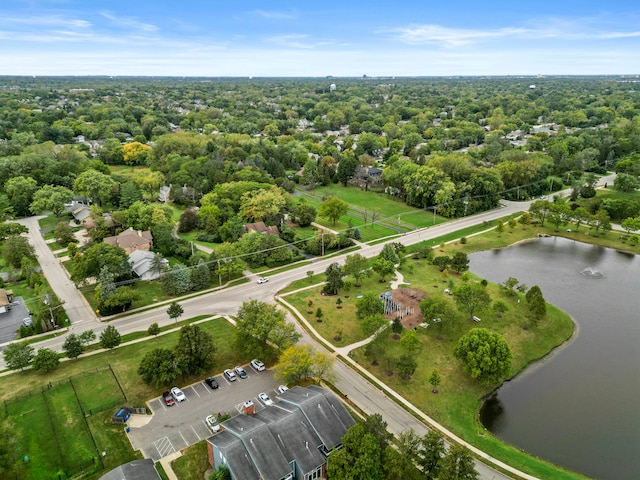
point(578, 407)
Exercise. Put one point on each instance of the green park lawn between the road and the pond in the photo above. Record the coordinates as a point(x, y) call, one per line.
point(457, 404)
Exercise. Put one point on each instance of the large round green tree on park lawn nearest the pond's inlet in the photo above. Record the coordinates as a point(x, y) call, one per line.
point(485, 355)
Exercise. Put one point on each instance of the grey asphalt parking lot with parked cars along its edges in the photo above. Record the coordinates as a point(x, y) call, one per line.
point(174, 428)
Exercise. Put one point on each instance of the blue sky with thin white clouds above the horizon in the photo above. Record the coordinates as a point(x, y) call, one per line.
point(347, 38)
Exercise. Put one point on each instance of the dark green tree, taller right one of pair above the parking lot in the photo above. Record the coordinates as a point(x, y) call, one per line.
point(195, 350)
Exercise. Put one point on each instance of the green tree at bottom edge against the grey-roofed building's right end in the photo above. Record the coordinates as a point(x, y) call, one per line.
point(359, 459)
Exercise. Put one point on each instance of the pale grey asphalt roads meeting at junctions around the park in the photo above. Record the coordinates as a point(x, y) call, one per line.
point(227, 302)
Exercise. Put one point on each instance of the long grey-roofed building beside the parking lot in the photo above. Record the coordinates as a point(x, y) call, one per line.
point(288, 440)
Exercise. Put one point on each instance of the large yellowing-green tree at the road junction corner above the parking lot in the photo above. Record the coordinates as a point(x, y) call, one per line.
point(259, 323)
